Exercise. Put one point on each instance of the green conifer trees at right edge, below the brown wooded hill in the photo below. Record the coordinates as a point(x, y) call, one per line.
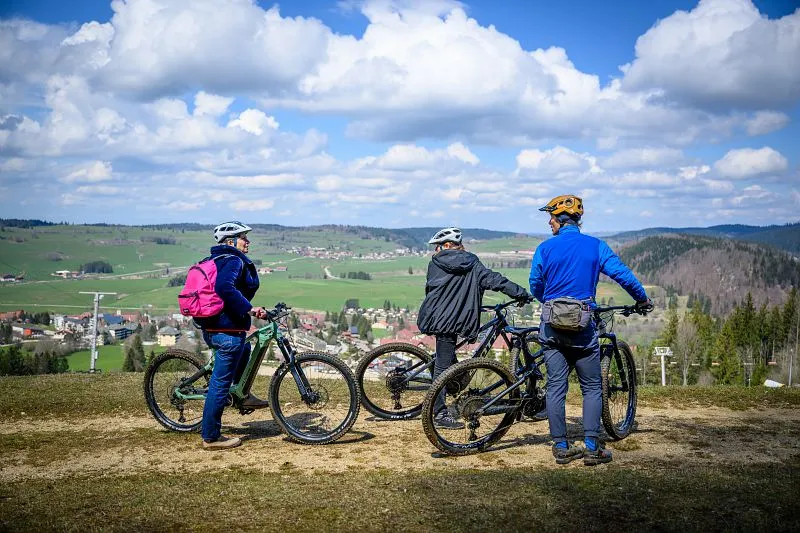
point(750, 344)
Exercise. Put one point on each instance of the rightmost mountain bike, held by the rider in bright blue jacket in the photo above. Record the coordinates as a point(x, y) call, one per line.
point(489, 397)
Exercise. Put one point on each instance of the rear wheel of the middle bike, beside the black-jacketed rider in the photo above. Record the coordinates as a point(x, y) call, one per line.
point(394, 379)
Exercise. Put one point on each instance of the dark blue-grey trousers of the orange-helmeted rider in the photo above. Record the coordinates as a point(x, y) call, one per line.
point(562, 353)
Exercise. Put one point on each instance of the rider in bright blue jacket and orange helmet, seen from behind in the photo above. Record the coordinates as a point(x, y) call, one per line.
point(569, 265)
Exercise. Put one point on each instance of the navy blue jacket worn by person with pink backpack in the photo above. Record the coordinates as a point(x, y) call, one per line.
point(237, 283)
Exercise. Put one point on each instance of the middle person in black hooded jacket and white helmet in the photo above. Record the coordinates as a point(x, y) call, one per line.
point(451, 308)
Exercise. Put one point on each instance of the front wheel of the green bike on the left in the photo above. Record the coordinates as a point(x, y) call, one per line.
point(331, 406)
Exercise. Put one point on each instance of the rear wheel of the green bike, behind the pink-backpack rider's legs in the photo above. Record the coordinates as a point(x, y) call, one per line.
point(175, 388)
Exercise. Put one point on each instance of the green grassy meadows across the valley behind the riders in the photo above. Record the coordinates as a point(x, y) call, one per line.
point(142, 268)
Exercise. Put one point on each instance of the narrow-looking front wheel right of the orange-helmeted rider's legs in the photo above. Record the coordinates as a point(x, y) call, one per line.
point(618, 378)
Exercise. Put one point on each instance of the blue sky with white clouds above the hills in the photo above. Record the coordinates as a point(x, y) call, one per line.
point(400, 113)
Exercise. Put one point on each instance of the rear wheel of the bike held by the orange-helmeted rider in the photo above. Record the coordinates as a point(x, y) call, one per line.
point(469, 386)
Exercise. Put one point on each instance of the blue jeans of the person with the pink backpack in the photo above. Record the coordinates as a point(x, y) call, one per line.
point(231, 353)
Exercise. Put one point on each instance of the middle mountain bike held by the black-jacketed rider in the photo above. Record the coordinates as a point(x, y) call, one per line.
point(395, 377)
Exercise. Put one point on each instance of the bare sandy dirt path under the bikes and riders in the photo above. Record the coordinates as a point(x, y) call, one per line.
point(119, 446)
